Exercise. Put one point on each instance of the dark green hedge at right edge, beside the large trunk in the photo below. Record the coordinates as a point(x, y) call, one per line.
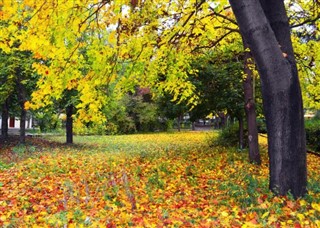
point(313, 134)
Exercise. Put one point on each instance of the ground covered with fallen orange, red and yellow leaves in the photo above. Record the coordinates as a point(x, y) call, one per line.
point(147, 180)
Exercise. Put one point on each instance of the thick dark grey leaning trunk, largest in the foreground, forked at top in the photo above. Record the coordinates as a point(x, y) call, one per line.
point(282, 100)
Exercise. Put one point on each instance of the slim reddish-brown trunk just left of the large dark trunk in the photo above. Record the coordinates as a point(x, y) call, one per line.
point(250, 109)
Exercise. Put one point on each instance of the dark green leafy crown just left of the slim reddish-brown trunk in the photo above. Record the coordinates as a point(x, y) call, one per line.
point(219, 83)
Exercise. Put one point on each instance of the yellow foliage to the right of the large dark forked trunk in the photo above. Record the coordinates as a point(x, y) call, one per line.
point(304, 20)
